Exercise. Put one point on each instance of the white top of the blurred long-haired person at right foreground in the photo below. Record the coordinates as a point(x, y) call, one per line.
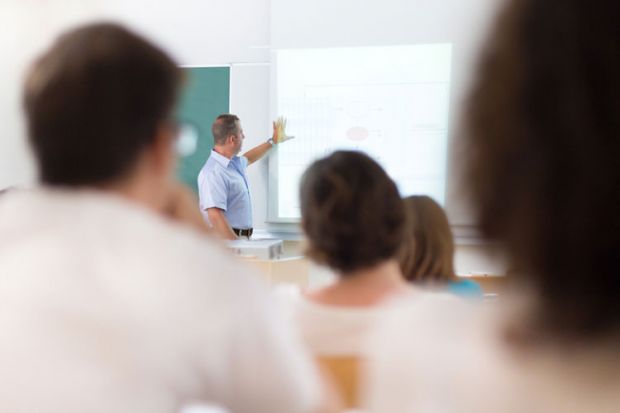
point(444, 356)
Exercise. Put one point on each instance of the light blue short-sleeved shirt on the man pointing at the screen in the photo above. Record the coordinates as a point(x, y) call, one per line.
point(222, 183)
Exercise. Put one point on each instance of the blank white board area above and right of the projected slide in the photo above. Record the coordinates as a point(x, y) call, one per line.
point(299, 24)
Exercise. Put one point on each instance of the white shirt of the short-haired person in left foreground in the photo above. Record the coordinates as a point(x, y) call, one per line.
point(107, 307)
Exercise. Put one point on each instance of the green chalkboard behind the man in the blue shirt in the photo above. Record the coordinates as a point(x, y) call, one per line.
point(206, 95)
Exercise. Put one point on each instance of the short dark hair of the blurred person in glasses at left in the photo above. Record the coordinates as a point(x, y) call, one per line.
point(94, 101)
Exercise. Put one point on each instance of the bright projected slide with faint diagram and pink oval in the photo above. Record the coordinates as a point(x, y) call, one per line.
point(389, 102)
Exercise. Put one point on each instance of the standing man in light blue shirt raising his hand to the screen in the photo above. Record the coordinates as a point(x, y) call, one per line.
point(222, 182)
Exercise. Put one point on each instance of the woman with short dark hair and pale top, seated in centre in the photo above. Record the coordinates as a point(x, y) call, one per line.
point(353, 218)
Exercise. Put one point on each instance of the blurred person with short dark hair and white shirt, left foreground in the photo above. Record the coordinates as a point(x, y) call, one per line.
point(108, 305)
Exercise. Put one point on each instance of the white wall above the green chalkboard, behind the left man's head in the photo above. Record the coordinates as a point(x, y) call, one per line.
point(196, 32)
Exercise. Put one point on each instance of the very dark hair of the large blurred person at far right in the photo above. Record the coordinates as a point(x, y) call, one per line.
point(544, 146)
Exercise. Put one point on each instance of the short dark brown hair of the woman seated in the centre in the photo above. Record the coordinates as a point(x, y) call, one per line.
point(351, 212)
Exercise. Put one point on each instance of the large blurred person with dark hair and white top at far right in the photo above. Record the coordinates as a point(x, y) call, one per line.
point(544, 143)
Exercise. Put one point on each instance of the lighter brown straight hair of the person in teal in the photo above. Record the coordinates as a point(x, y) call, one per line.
point(428, 248)
